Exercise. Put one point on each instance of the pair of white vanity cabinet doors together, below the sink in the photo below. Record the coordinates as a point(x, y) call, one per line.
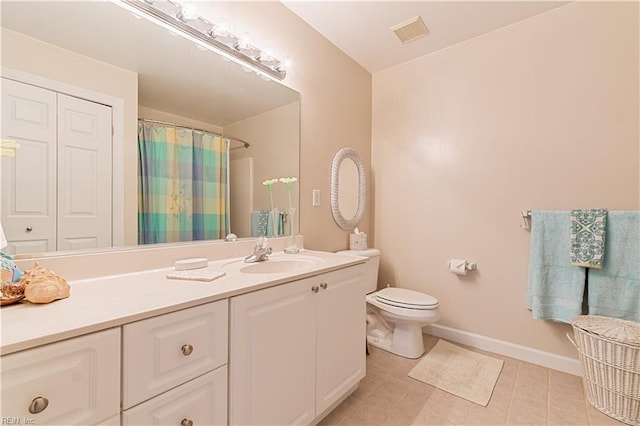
point(296, 349)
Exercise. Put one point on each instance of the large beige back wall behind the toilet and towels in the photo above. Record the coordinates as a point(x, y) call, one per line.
point(539, 115)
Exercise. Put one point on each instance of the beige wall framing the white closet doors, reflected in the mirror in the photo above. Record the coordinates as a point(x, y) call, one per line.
point(41, 59)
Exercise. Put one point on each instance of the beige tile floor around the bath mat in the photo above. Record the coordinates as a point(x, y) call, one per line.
point(525, 394)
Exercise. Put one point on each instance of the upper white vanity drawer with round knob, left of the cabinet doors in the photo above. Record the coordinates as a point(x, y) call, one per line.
point(163, 352)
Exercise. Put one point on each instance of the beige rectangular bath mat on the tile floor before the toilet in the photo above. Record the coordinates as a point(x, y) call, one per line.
point(463, 373)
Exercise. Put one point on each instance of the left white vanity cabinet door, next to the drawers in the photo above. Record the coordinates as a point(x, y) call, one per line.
point(272, 356)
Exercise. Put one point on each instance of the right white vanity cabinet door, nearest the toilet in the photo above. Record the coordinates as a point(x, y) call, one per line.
point(341, 334)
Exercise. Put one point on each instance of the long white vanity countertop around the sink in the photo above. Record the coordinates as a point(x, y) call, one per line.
point(110, 301)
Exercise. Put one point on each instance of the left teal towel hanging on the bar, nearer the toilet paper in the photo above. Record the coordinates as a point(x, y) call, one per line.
point(555, 288)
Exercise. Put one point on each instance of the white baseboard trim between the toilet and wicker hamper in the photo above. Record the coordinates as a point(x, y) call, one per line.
point(523, 353)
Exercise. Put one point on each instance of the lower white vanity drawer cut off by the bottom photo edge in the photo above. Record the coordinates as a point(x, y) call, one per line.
point(203, 401)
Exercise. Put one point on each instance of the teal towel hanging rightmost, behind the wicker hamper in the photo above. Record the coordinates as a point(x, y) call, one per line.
point(614, 290)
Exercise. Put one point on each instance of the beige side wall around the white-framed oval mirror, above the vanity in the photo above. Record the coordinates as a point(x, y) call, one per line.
point(335, 106)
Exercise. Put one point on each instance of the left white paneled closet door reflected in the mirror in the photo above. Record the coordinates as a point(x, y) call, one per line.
point(28, 181)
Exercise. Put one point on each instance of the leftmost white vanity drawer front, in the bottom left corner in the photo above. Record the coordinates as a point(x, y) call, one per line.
point(79, 378)
